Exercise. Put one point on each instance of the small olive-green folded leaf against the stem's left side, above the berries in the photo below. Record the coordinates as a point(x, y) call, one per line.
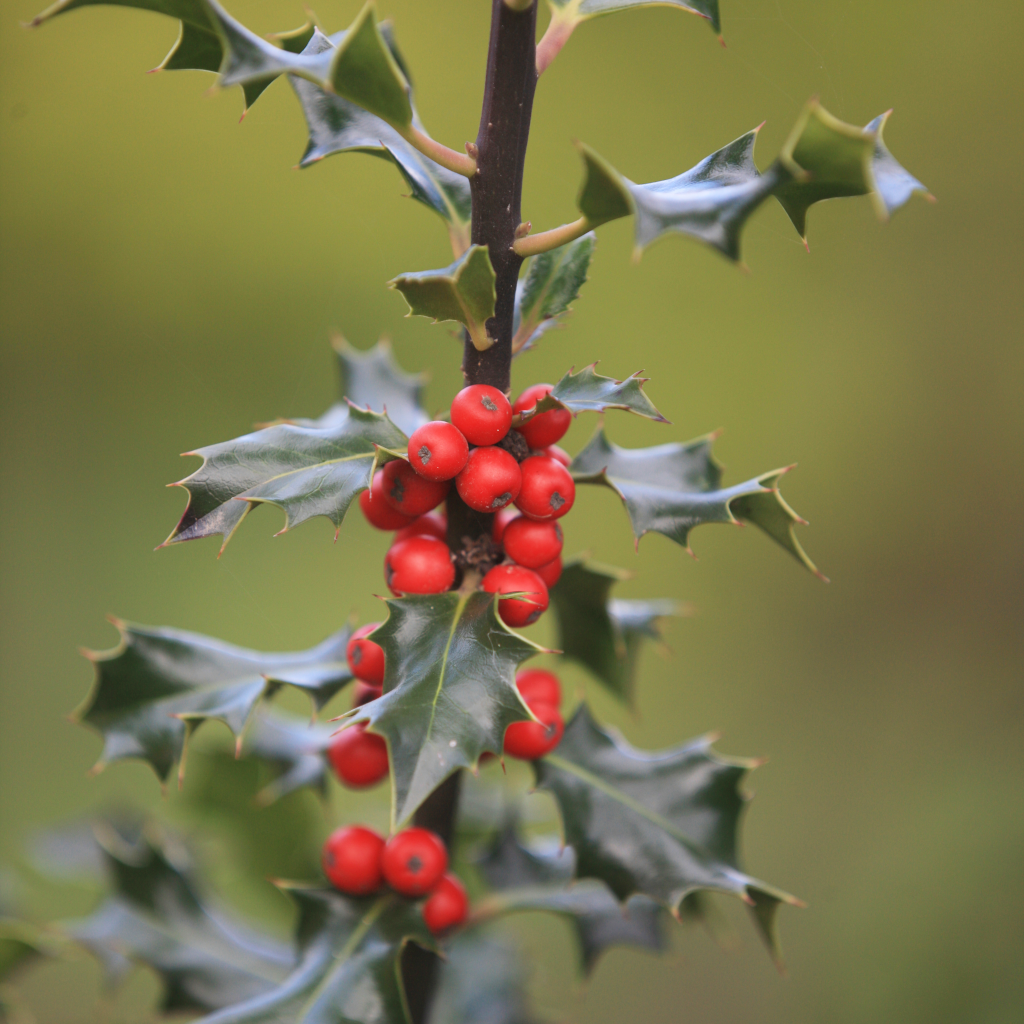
point(463, 292)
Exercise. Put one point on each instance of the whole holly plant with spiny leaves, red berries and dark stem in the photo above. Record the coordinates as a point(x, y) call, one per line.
point(398, 927)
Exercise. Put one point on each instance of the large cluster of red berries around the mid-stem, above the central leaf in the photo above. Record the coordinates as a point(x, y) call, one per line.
point(494, 467)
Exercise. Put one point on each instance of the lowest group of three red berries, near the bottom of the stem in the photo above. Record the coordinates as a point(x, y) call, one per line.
point(413, 863)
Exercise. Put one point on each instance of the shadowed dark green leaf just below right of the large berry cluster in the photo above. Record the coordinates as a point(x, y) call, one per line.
point(603, 634)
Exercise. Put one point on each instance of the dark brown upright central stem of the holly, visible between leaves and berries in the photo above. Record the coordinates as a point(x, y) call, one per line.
point(497, 189)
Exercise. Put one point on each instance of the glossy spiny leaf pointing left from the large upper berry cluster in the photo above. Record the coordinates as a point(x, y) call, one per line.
point(307, 472)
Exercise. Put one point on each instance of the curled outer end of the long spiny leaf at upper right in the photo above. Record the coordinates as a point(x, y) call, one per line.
point(829, 159)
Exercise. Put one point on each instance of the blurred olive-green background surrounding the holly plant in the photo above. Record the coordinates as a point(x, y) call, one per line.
point(168, 280)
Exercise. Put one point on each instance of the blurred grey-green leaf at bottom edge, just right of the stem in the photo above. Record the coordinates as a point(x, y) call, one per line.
point(481, 983)
